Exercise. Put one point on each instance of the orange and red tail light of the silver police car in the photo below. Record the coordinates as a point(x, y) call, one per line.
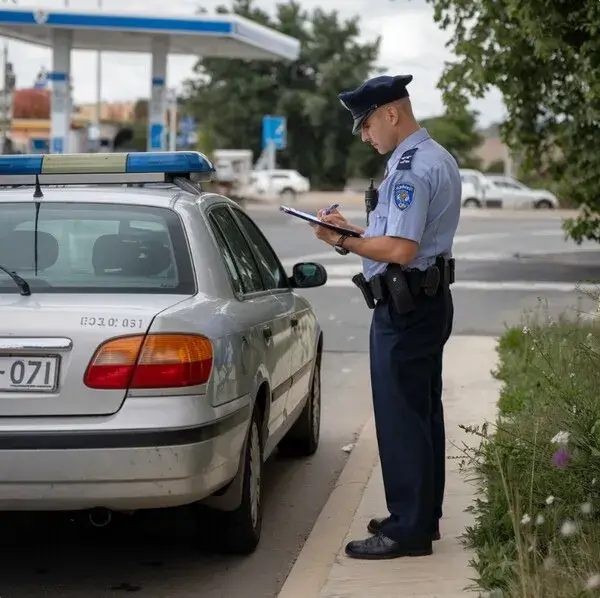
point(153, 361)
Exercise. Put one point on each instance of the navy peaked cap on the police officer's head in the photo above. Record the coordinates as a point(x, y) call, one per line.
point(376, 92)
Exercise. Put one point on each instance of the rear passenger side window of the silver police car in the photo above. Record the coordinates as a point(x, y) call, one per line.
point(239, 249)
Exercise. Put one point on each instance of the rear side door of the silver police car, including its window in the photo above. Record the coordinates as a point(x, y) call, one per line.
point(264, 315)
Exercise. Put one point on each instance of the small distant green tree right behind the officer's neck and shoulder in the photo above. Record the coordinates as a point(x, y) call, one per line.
point(457, 132)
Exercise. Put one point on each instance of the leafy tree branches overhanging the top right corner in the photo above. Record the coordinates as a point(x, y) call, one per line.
point(543, 56)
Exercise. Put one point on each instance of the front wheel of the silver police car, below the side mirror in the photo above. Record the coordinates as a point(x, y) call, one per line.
point(303, 438)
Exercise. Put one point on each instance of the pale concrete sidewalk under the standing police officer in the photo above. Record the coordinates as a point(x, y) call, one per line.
point(322, 570)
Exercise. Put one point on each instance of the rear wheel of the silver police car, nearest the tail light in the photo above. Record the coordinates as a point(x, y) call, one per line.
point(239, 531)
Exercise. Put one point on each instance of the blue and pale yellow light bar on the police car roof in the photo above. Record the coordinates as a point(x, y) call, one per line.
point(182, 163)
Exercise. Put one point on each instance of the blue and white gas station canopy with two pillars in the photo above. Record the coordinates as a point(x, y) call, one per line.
point(224, 36)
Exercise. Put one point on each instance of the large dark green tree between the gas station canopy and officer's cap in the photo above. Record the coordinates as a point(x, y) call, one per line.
point(230, 97)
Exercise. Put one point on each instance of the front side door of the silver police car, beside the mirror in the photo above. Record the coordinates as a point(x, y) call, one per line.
point(302, 338)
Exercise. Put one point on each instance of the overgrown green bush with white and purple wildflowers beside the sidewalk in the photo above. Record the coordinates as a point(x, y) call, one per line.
point(536, 531)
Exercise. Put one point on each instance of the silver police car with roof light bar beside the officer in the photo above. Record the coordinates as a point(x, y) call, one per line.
point(153, 350)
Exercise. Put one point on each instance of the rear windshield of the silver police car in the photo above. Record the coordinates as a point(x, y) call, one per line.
point(94, 248)
